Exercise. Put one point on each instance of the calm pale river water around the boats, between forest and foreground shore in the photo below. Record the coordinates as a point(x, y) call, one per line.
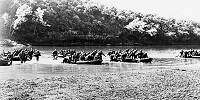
point(164, 57)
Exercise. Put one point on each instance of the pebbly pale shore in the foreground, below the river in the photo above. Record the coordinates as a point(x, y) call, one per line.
point(149, 84)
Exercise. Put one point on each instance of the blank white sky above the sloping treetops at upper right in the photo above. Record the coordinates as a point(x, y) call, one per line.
point(179, 9)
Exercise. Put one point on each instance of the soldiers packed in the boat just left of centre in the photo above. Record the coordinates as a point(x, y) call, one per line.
point(72, 56)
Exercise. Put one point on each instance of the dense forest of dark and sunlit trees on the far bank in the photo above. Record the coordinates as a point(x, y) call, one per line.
point(83, 22)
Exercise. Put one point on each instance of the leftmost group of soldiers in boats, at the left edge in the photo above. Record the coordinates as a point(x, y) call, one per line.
point(22, 55)
